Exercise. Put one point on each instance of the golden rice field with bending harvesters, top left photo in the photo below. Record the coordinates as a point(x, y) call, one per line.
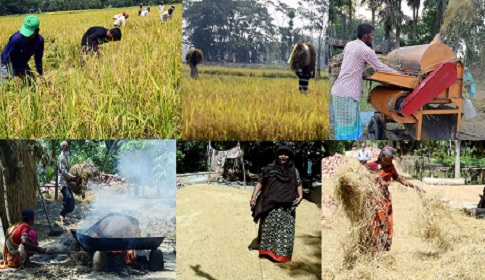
point(131, 91)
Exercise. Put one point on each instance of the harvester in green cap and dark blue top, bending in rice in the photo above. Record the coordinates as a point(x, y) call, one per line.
point(22, 45)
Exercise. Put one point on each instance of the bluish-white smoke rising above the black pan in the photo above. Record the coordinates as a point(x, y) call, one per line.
point(149, 167)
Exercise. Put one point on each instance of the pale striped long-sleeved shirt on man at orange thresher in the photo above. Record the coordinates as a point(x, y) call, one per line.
point(356, 57)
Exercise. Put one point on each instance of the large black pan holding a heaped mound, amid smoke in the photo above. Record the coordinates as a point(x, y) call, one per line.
point(116, 244)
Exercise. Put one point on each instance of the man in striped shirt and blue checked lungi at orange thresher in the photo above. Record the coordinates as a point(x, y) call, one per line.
point(346, 90)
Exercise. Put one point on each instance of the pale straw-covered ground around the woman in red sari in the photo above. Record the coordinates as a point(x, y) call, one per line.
point(410, 257)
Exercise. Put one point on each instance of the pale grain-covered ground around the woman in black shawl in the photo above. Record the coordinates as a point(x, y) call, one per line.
point(215, 227)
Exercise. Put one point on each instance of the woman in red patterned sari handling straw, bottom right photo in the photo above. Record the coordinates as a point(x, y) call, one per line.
point(383, 218)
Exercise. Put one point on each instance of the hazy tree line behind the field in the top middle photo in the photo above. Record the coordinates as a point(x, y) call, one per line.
point(252, 31)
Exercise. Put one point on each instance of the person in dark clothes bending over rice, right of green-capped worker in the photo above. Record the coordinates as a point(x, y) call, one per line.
point(98, 35)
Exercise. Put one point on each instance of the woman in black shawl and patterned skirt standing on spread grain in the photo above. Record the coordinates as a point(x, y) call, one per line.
point(273, 203)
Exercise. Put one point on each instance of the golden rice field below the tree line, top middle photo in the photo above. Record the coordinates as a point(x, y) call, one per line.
point(252, 104)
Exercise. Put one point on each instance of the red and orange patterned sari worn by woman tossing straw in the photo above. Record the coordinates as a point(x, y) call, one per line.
point(382, 223)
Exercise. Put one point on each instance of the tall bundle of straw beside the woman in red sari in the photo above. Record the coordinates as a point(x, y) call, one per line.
point(357, 192)
